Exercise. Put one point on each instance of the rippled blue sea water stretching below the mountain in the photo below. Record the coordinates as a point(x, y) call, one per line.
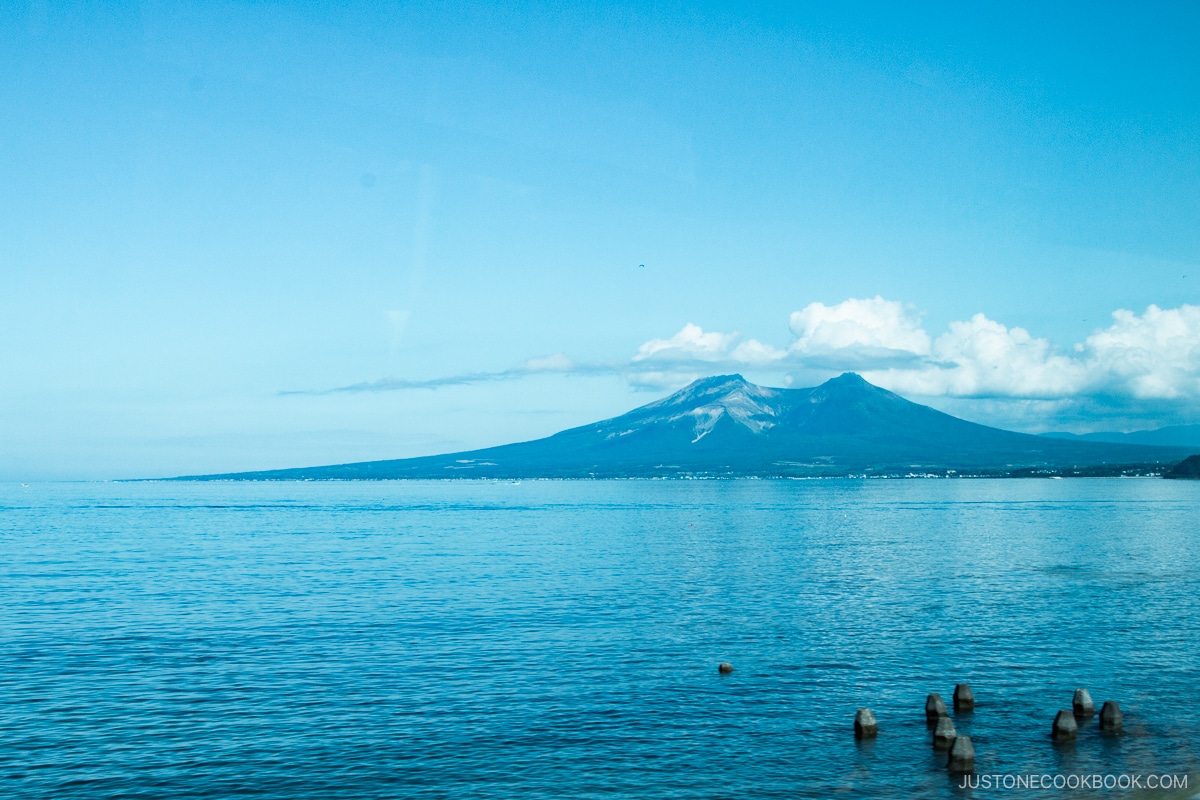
point(561, 640)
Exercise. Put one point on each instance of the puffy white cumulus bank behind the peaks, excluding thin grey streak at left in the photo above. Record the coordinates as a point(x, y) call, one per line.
point(1154, 356)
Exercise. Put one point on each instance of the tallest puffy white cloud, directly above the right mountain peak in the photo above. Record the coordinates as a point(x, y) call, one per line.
point(874, 324)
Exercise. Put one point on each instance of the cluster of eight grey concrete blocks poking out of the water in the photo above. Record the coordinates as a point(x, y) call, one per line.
point(961, 753)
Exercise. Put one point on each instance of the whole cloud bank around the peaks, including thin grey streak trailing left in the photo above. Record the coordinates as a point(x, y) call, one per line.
point(1142, 366)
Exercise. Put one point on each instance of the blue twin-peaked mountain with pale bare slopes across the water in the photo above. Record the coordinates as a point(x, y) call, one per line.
point(725, 426)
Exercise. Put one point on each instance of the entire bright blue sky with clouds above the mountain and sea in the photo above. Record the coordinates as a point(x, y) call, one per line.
point(254, 236)
